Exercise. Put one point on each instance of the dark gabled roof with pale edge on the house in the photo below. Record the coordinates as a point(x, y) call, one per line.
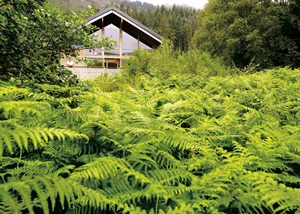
point(113, 15)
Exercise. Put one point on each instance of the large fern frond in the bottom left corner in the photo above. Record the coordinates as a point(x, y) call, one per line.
point(45, 186)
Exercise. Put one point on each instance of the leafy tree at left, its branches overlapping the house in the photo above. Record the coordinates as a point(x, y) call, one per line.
point(33, 38)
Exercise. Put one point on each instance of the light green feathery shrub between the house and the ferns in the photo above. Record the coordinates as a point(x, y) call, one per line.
point(164, 62)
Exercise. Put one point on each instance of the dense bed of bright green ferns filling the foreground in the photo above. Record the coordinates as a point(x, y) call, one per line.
point(186, 144)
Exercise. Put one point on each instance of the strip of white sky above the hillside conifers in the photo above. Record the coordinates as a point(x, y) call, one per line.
point(199, 4)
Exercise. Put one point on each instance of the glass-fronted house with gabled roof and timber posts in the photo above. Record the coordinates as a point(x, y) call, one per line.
point(129, 34)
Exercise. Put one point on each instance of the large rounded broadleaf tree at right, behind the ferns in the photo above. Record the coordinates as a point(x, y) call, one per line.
point(245, 31)
